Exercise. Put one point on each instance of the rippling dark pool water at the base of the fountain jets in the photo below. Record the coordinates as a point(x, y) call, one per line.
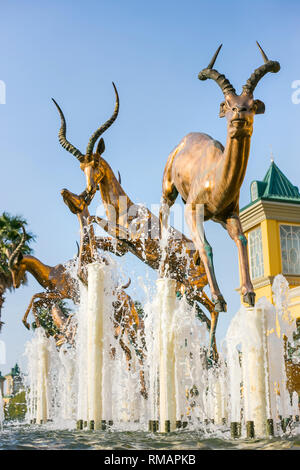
point(25, 437)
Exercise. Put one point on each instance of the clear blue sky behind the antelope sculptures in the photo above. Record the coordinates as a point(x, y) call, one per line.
point(72, 50)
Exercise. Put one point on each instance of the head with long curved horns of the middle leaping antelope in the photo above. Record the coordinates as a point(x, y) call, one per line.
point(90, 163)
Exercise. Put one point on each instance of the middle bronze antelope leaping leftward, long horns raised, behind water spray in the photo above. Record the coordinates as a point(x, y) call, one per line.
point(134, 230)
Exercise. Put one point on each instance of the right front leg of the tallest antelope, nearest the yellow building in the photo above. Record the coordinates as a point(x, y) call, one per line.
point(234, 228)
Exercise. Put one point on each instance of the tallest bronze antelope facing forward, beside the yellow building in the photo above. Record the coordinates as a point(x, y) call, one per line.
point(205, 173)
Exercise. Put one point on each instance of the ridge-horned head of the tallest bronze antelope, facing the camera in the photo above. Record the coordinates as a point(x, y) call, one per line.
point(240, 109)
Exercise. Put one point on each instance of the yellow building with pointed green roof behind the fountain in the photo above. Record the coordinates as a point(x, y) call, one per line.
point(271, 222)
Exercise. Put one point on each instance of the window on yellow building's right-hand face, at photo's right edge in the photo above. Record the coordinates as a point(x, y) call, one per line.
point(290, 249)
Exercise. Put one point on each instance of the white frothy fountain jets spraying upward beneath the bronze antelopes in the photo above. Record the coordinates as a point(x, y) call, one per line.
point(243, 395)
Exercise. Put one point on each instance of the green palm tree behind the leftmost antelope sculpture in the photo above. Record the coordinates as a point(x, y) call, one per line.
point(10, 236)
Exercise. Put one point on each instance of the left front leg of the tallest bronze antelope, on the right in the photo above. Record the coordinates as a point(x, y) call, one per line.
point(205, 251)
